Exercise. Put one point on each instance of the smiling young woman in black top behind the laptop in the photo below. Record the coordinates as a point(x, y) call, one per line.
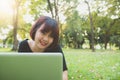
point(44, 38)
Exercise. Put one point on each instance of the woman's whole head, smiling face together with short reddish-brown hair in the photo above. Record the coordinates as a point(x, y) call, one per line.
point(45, 33)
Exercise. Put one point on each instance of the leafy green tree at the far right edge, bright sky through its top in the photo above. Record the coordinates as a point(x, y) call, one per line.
point(106, 19)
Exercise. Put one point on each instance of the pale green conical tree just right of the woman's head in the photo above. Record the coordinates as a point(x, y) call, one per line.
point(73, 32)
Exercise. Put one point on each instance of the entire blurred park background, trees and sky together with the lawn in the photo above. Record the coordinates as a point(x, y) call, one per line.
point(89, 32)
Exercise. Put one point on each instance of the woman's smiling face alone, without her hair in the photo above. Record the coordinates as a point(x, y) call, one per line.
point(43, 39)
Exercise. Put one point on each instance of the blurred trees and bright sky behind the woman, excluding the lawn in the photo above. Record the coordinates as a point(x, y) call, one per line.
point(83, 24)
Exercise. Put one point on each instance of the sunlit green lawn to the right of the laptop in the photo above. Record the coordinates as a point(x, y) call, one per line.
point(88, 65)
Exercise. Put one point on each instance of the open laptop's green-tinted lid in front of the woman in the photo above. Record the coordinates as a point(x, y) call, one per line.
point(31, 66)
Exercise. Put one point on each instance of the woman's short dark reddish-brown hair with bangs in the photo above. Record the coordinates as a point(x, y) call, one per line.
point(50, 25)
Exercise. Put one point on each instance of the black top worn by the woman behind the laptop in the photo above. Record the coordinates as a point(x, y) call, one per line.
point(24, 47)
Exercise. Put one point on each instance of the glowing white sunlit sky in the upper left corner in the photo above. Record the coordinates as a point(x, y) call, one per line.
point(5, 11)
